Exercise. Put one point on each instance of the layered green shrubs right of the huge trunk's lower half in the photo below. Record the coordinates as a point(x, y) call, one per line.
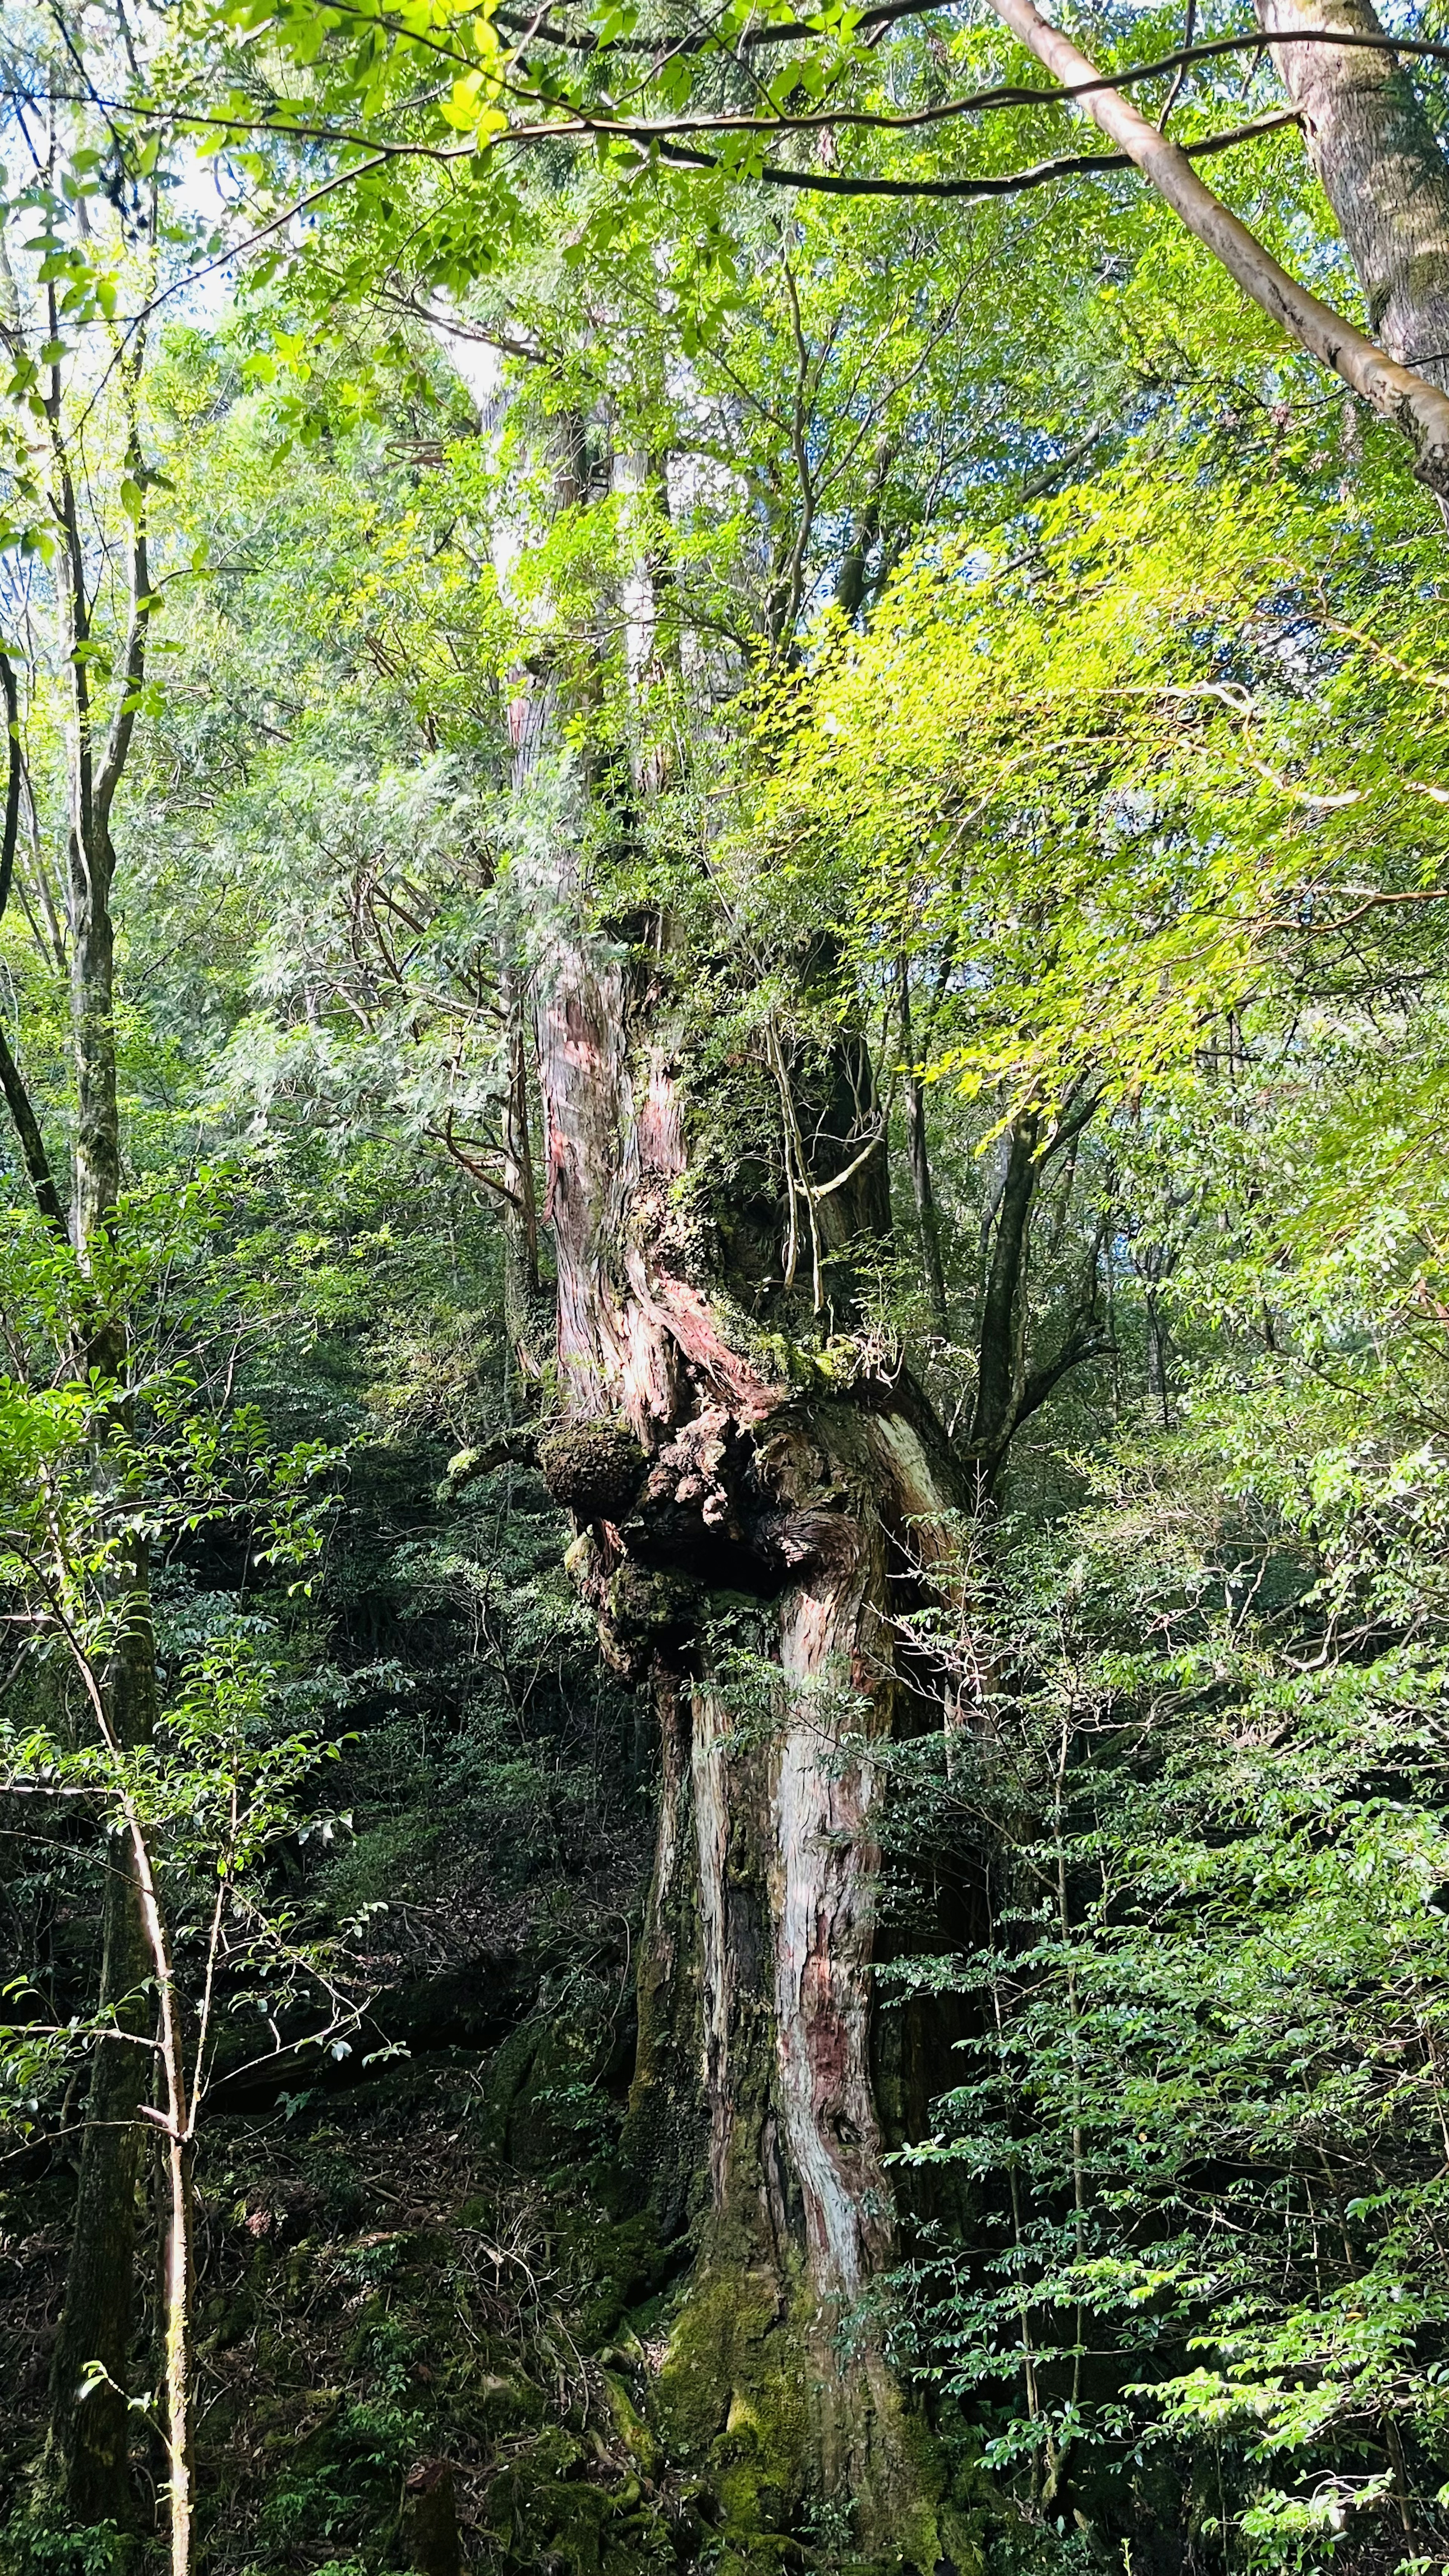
point(1203, 2103)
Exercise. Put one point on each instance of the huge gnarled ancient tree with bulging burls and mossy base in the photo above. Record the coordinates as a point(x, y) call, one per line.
point(754, 1482)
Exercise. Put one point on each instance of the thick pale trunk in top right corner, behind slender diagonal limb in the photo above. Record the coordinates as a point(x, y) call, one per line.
point(1381, 169)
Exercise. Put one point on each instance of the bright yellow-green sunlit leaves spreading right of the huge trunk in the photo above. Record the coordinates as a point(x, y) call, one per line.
point(1110, 787)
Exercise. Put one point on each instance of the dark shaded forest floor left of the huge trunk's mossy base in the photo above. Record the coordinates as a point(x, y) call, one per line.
point(411, 2348)
